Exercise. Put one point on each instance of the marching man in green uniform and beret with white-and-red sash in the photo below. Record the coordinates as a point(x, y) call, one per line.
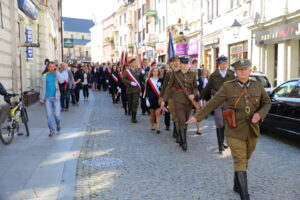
point(132, 77)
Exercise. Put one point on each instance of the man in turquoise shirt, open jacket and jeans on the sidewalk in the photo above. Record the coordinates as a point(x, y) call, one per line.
point(50, 96)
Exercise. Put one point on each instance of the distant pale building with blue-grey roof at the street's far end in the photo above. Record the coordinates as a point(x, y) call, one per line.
point(77, 36)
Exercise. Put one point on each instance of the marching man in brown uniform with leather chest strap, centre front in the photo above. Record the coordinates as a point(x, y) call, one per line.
point(182, 88)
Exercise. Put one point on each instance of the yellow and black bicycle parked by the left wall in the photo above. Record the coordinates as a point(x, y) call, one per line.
point(10, 121)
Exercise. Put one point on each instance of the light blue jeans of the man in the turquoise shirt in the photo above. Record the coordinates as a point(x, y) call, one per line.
point(53, 112)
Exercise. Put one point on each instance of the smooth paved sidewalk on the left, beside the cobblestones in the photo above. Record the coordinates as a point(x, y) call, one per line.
point(40, 167)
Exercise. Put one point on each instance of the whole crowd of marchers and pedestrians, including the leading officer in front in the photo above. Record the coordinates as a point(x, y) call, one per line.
point(176, 91)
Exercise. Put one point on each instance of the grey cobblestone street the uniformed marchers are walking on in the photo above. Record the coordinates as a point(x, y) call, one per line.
point(133, 162)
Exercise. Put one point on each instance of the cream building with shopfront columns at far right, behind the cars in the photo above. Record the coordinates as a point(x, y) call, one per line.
point(276, 36)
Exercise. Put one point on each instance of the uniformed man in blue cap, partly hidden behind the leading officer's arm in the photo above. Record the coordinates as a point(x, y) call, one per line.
point(216, 80)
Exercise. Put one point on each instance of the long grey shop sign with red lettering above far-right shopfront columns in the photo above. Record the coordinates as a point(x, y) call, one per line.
point(277, 34)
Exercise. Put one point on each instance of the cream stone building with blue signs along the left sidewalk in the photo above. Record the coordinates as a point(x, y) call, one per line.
point(30, 32)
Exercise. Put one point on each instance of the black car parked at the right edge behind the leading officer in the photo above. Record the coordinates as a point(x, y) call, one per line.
point(284, 116)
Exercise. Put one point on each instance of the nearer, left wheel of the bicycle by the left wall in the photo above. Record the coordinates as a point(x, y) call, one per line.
point(6, 132)
